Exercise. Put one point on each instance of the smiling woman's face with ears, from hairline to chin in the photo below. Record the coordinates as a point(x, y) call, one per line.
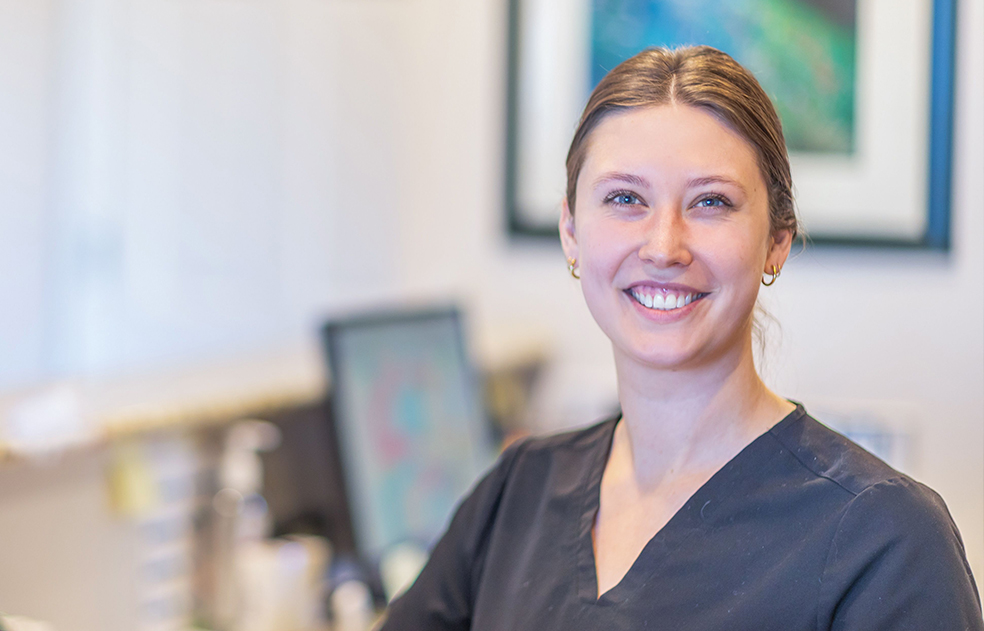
point(671, 234)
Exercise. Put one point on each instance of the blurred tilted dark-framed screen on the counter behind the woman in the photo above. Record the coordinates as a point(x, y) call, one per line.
point(411, 429)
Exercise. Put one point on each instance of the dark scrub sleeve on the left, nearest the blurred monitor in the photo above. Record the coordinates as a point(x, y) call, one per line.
point(442, 597)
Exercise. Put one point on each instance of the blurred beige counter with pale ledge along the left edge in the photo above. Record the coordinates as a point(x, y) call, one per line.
point(67, 558)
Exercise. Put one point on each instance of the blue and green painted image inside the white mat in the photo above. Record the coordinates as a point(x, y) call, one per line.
point(801, 51)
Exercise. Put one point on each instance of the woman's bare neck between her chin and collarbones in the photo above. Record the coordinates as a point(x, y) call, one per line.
point(684, 420)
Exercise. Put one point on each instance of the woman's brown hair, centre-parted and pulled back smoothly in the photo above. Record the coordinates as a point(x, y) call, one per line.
point(698, 76)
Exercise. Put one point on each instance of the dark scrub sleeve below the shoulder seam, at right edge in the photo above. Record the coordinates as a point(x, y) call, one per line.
point(897, 563)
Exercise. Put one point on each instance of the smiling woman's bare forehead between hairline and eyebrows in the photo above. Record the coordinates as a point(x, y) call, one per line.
point(668, 140)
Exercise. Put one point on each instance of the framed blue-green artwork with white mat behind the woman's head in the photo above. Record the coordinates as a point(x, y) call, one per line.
point(864, 89)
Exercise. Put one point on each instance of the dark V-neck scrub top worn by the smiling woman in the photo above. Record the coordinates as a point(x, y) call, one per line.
point(801, 530)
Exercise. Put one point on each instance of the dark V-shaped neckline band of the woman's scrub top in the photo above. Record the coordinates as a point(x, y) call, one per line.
point(683, 524)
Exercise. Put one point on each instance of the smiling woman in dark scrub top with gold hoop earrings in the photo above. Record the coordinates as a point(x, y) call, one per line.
point(709, 502)
